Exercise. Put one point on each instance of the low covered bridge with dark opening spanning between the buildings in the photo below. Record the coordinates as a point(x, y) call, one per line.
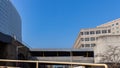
point(83, 55)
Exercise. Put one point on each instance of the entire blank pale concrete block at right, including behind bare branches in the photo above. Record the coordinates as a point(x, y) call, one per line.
point(103, 47)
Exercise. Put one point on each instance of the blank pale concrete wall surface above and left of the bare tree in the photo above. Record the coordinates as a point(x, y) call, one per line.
point(103, 43)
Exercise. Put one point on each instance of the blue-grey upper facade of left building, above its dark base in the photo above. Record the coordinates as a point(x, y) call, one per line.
point(10, 21)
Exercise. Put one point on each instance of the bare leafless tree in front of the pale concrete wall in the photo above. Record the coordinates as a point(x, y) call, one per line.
point(111, 56)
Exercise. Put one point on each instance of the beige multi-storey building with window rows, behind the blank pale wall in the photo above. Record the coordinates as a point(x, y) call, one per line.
point(87, 38)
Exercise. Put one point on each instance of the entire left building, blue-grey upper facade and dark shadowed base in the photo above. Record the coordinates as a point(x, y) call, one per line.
point(11, 46)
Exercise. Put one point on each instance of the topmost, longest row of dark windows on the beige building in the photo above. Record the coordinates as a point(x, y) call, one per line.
point(96, 32)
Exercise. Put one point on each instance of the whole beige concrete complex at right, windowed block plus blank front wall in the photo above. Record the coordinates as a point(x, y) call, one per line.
point(99, 39)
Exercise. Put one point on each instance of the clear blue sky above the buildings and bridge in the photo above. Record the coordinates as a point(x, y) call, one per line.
point(56, 23)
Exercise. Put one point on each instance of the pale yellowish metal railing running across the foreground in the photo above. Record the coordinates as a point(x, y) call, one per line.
point(53, 62)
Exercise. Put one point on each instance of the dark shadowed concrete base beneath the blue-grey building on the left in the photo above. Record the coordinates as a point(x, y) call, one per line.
point(9, 51)
